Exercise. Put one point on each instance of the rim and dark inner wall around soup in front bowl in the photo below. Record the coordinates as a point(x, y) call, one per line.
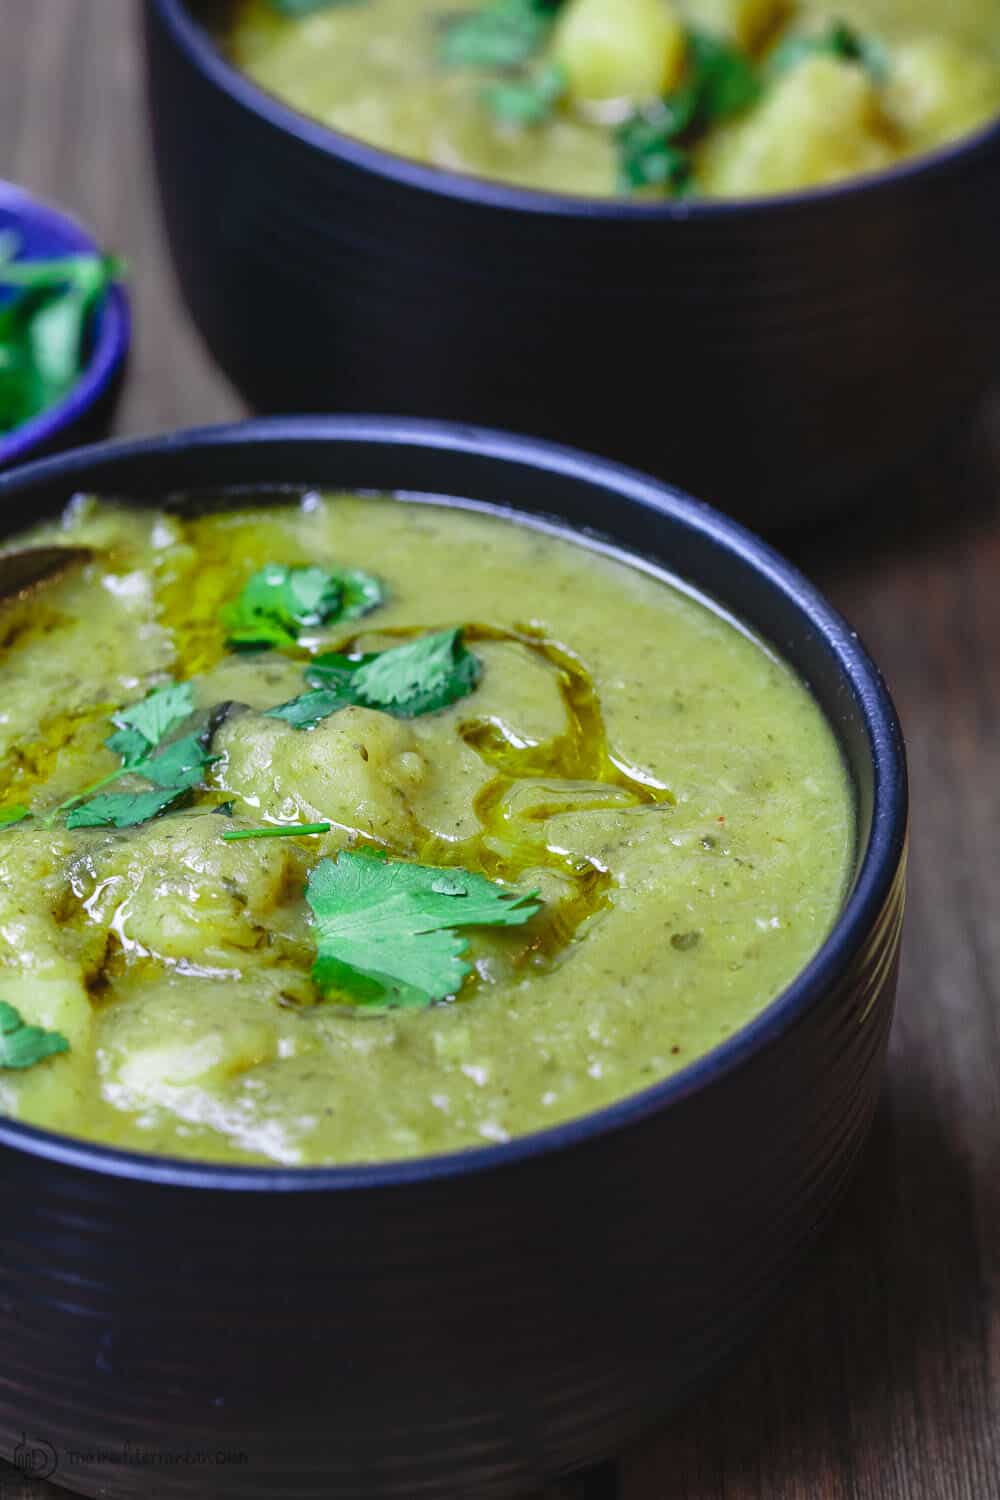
point(600, 503)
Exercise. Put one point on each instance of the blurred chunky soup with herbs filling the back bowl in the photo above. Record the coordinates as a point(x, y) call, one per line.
point(657, 98)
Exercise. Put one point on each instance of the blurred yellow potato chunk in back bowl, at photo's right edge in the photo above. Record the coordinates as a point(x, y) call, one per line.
point(941, 91)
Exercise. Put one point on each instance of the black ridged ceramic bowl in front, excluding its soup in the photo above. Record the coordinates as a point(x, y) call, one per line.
point(466, 1325)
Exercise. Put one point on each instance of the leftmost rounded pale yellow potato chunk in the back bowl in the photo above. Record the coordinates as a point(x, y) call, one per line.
point(620, 49)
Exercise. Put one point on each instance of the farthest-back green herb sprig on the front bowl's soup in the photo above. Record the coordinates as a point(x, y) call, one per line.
point(280, 604)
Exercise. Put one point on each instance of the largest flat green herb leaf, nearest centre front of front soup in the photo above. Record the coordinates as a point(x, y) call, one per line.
point(386, 931)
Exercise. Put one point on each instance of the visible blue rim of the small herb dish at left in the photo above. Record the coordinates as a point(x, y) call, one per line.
point(86, 412)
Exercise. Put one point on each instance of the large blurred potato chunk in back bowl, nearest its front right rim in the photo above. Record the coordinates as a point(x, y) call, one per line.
point(822, 124)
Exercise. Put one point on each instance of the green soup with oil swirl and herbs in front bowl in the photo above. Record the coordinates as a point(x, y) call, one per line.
point(346, 829)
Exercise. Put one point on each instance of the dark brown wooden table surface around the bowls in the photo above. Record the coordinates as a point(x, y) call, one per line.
point(881, 1381)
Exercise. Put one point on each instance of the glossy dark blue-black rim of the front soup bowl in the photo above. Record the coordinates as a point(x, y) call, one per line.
point(876, 869)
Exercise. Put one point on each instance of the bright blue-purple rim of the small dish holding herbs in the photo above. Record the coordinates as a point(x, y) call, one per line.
point(113, 331)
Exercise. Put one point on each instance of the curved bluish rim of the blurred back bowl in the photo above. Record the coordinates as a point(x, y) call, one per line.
point(197, 43)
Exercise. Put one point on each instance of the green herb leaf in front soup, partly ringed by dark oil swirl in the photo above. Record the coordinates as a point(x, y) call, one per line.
point(407, 682)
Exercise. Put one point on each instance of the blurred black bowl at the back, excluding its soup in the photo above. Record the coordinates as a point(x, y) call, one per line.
point(774, 356)
